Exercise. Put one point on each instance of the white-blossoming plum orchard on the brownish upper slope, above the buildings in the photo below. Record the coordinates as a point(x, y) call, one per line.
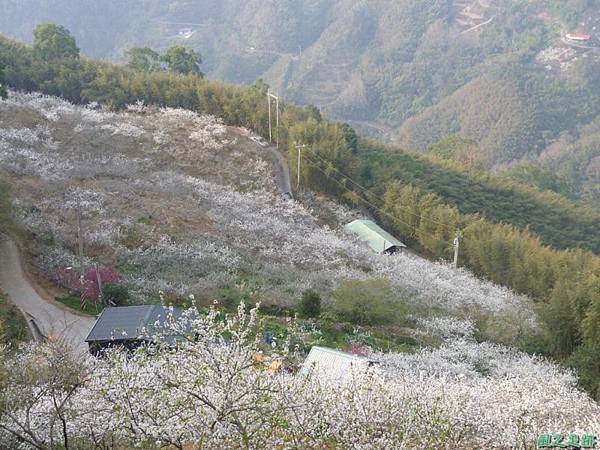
point(176, 200)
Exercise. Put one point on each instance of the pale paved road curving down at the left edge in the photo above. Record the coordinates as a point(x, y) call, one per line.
point(51, 319)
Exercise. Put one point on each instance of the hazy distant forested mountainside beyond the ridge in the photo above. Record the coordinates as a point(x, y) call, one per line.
point(497, 72)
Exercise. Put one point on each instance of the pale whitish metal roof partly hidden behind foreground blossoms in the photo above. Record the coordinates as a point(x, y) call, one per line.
point(332, 362)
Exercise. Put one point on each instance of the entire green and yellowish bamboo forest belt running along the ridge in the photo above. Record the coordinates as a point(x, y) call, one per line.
point(422, 200)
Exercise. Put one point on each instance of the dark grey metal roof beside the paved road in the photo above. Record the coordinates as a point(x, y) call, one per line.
point(127, 322)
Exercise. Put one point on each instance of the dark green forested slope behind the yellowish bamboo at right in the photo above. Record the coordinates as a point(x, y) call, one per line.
point(557, 221)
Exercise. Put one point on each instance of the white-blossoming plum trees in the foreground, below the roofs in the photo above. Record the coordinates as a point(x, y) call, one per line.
point(225, 390)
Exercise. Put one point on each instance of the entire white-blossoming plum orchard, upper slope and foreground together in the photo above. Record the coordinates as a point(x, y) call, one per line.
point(178, 202)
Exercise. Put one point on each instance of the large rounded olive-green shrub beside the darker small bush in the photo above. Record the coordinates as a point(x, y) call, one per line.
point(365, 302)
